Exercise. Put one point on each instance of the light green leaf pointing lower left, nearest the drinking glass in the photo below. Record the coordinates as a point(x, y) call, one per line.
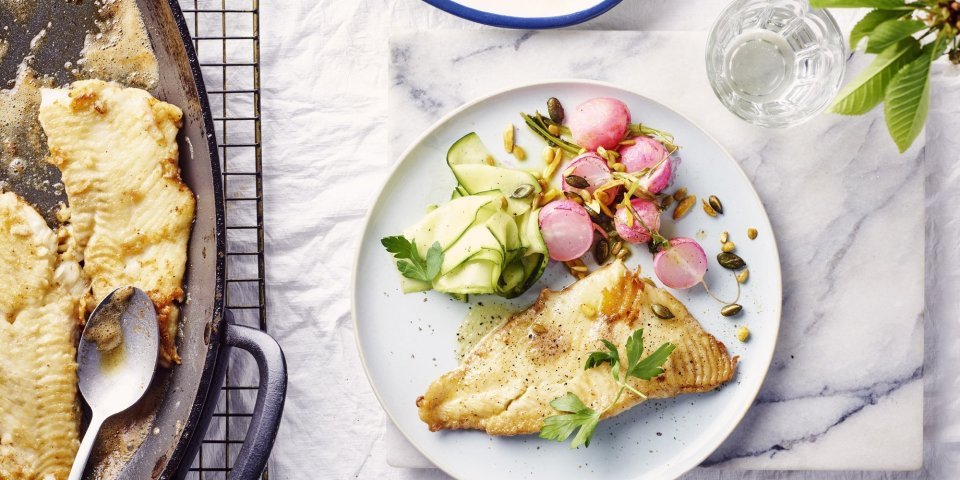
point(867, 89)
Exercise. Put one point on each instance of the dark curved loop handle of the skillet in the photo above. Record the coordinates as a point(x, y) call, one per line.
point(258, 442)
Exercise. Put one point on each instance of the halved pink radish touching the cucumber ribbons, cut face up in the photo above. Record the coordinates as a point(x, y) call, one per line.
point(567, 230)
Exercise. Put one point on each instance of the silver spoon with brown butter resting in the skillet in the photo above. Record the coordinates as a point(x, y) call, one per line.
point(116, 359)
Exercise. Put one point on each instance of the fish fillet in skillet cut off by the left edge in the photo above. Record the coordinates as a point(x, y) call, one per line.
point(40, 309)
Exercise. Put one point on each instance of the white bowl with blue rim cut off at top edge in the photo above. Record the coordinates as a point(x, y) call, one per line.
point(526, 14)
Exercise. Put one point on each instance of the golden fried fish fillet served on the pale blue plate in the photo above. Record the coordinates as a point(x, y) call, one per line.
point(505, 384)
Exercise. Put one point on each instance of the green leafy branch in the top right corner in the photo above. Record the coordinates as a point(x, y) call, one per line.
point(899, 75)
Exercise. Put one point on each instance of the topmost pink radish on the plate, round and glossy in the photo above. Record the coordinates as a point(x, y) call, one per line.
point(599, 122)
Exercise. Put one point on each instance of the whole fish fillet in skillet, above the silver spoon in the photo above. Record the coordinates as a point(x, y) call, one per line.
point(129, 213)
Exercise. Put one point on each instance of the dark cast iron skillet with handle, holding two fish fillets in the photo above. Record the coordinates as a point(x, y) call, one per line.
point(177, 409)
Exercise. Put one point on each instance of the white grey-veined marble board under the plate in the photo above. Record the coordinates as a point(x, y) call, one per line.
point(844, 391)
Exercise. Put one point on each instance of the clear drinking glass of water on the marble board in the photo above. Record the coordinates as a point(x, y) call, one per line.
point(775, 63)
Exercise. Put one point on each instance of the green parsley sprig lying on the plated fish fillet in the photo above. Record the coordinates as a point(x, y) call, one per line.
point(575, 415)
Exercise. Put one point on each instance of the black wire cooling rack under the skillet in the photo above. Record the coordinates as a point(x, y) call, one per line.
point(226, 37)
